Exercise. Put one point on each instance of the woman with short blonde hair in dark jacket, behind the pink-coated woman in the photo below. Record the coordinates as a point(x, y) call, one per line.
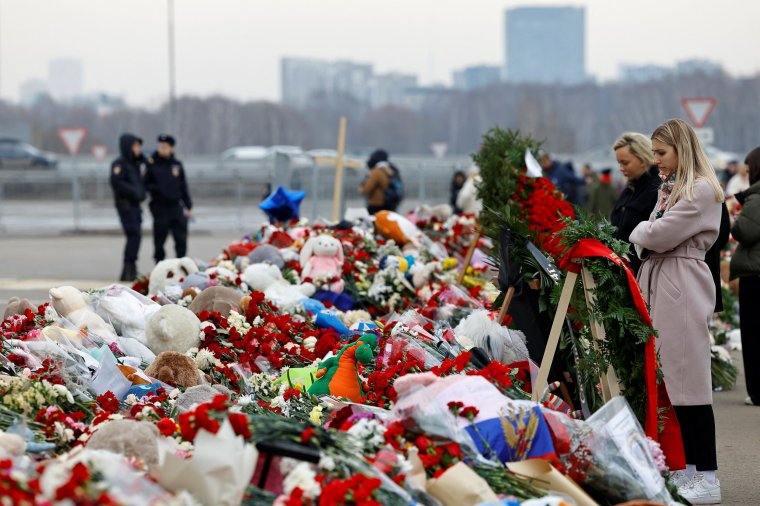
point(636, 202)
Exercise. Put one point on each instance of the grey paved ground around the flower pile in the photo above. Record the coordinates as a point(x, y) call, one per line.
point(30, 265)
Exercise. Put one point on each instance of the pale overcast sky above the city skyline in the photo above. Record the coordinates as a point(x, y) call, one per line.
point(233, 47)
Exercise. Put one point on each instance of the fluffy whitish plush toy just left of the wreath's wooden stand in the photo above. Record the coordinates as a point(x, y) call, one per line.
point(500, 343)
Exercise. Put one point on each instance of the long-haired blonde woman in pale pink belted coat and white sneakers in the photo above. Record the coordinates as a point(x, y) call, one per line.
point(677, 282)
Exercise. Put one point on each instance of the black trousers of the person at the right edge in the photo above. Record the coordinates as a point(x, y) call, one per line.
point(749, 295)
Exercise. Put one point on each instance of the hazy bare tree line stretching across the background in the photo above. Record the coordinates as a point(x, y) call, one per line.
point(572, 119)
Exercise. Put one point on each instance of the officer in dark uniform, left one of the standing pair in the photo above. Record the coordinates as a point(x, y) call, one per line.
point(128, 192)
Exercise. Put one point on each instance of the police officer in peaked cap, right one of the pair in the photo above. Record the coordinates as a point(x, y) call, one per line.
point(165, 180)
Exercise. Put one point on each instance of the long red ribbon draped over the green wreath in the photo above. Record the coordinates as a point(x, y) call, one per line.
point(657, 396)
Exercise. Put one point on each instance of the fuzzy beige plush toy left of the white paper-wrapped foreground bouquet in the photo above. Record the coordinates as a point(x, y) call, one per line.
point(129, 438)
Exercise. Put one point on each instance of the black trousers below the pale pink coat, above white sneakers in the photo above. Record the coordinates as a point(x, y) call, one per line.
point(698, 435)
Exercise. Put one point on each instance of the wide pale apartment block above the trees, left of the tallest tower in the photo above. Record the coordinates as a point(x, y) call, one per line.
point(304, 78)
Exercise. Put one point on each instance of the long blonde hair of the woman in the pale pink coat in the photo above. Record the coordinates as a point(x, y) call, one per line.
point(693, 164)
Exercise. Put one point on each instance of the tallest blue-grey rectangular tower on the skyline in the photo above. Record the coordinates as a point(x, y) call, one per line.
point(545, 45)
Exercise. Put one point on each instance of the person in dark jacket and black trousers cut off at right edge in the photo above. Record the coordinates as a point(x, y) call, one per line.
point(745, 265)
